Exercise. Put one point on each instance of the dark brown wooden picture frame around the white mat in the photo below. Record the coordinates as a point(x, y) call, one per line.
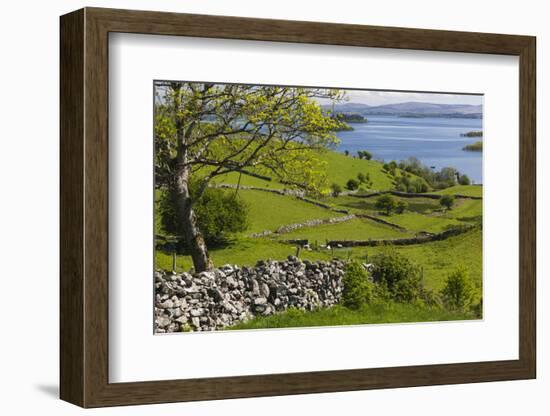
point(84, 207)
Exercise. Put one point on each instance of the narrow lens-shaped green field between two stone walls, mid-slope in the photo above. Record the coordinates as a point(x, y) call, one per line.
point(356, 229)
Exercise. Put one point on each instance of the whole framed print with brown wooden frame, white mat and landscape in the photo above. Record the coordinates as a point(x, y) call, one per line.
point(260, 207)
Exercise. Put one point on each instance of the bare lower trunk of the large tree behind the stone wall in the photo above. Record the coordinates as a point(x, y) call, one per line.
point(191, 232)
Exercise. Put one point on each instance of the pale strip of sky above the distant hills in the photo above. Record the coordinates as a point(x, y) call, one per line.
point(389, 97)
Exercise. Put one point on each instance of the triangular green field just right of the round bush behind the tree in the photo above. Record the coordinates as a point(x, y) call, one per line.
point(268, 211)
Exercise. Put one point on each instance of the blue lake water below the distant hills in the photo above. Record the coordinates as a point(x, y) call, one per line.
point(434, 141)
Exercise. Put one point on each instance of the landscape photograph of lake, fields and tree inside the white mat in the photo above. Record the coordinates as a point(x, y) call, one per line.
point(285, 206)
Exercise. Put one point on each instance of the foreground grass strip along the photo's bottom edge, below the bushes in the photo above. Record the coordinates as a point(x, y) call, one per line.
point(383, 313)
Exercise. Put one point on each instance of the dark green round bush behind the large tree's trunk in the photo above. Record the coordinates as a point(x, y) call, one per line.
point(219, 214)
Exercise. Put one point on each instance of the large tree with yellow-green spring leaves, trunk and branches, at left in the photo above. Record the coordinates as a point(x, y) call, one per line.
point(204, 130)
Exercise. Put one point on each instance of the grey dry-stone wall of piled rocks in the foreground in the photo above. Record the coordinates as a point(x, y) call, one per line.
point(223, 297)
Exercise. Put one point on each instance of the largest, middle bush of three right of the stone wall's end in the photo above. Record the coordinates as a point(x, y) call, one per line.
point(398, 277)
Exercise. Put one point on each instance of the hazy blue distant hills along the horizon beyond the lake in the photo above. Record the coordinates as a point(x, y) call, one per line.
point(412, 109)
